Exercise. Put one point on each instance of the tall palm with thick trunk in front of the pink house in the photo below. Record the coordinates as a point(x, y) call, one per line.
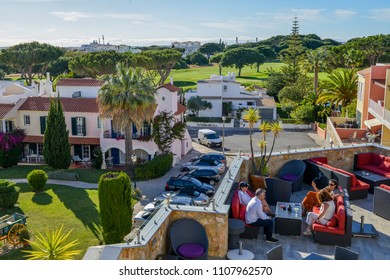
point(127, 97)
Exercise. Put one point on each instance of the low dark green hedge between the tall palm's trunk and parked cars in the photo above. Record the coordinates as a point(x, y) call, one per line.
point(155, 168)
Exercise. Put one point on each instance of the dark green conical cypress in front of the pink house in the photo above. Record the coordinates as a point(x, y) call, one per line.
point(56, 146)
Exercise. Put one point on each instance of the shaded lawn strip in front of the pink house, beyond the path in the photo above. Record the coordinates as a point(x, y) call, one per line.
point(20, 171)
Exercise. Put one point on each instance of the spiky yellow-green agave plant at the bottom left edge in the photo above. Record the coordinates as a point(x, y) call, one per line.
point(52, 246)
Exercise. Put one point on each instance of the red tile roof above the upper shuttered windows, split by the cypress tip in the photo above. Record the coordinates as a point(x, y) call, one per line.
point(81, 105)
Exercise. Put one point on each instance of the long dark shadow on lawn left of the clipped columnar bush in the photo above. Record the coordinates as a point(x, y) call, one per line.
point(78, 201)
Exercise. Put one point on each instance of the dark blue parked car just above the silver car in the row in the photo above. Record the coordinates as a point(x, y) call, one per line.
point(187, 182)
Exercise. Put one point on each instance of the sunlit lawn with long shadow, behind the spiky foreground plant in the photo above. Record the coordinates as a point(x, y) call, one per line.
point(74, 208)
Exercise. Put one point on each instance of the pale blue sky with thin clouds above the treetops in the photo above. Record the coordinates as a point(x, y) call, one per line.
point(147, 22)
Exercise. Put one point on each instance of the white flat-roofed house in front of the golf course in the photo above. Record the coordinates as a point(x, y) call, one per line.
point(224, 89)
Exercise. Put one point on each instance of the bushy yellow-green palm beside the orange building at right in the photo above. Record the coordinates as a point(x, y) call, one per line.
point(339, 89)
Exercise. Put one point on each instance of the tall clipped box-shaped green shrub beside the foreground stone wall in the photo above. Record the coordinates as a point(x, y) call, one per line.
point(115, 217)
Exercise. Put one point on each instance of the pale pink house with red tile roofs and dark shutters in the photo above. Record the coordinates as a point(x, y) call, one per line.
point(86, 129)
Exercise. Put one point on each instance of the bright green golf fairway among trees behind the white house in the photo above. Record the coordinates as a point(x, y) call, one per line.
point(187, 78)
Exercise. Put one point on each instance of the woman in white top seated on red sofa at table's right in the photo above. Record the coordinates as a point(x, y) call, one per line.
point(327, 211)
